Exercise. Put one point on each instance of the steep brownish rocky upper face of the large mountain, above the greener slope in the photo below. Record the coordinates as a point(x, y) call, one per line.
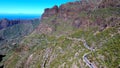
point(79, 15)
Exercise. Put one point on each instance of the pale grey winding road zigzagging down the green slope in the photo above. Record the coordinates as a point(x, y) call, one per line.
point(85, 59)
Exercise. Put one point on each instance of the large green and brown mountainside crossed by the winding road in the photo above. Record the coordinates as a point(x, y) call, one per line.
point(78, 34)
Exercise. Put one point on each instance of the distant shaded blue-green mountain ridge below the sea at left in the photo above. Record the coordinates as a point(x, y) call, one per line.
point(12, 31)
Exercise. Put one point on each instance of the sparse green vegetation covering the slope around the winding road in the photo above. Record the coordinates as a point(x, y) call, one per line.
point(55, 50)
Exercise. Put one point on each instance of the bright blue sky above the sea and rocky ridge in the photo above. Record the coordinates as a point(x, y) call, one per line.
point(27, 6)
